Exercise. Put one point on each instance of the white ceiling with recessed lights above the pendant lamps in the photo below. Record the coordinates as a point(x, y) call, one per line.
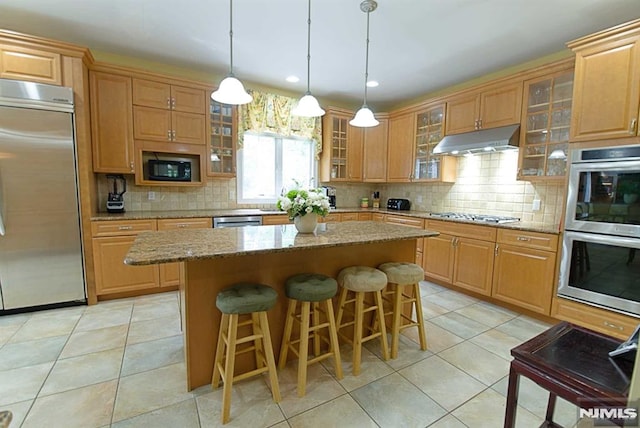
point(416, 46)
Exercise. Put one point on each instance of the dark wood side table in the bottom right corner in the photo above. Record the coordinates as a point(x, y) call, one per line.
point(573, 363)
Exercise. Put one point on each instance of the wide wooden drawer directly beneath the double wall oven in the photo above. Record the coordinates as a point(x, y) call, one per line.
point(600, 320)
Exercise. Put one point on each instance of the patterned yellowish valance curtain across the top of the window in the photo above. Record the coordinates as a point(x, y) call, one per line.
point(272, 113)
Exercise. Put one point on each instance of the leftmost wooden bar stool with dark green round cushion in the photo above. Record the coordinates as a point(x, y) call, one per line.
point(252, 300)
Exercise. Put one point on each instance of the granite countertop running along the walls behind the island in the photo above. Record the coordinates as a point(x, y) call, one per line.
point(143, 215)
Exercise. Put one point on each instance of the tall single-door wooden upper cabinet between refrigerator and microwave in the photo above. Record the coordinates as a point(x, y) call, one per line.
point(111, 123)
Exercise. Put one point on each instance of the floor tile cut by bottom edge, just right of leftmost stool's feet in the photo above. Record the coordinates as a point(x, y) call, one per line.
point(340, 412)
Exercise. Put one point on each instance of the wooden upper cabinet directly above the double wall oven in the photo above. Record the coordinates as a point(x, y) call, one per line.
point(606, 92)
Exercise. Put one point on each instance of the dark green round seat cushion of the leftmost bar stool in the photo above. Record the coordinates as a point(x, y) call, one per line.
point(245, 298)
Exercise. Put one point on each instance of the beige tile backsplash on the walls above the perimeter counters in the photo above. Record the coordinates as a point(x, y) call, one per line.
point(486, 184)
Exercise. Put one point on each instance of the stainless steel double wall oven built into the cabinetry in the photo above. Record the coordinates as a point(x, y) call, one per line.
point(599, 263)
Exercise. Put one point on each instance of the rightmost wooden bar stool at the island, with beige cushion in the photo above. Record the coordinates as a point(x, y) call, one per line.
point(400, 277)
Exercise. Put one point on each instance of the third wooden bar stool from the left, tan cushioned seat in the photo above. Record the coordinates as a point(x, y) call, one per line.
point(360, 280)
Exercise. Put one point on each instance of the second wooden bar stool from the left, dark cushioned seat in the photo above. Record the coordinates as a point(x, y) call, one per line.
point(312, 291)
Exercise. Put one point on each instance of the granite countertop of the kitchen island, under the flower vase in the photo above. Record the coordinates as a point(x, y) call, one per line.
point(184, 245)
